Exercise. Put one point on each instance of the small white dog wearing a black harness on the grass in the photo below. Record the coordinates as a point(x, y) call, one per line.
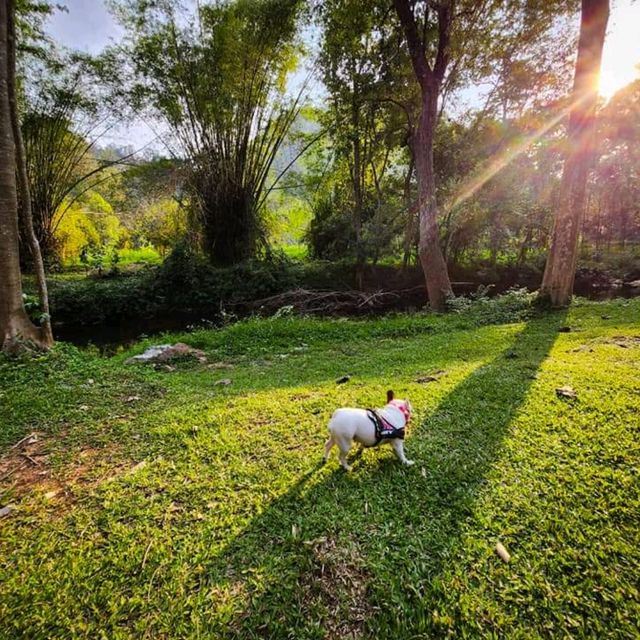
point(369, 428)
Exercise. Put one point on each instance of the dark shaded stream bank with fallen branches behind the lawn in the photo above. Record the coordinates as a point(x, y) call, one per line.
point(119, 308)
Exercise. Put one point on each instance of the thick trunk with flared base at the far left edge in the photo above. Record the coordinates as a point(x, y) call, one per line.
point(14, 322)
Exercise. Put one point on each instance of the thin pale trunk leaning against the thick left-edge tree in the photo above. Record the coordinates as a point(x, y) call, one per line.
point(23, 184)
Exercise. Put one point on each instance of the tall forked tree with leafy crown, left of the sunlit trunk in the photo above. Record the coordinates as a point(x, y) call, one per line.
point(453, 44)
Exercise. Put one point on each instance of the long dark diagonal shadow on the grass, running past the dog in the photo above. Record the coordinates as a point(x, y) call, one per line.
point(345, 554)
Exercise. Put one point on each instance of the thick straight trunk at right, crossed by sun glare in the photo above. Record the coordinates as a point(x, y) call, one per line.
point(559, 274)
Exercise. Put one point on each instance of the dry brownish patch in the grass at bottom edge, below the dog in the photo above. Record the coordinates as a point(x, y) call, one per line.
point(337, 582)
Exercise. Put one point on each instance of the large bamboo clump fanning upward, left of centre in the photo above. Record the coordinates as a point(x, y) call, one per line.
point(217, 81)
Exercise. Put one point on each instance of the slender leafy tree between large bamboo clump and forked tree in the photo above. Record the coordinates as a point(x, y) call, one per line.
point(365, 126)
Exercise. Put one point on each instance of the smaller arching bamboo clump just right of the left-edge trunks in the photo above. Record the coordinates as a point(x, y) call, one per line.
point(63, 117)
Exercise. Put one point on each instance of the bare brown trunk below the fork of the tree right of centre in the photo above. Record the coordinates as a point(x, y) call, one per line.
point(431, 258)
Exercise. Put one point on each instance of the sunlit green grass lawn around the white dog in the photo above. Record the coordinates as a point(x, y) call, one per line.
point(162, 505)
